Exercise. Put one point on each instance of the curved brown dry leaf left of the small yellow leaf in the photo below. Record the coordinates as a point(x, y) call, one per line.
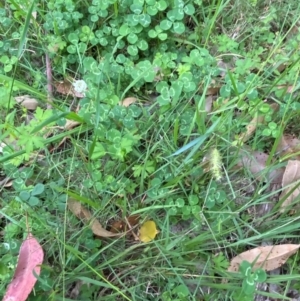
point(77, 209)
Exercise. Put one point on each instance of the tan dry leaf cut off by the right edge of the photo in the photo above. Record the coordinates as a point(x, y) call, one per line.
point(291, 178)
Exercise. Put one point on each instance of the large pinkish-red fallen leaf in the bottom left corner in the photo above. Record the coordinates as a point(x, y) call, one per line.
point(31, 256)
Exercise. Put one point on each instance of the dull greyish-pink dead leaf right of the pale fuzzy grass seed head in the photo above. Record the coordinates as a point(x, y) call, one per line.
point(256, 162)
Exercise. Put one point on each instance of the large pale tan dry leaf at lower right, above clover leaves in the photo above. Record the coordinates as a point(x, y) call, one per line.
point(267, 258)
